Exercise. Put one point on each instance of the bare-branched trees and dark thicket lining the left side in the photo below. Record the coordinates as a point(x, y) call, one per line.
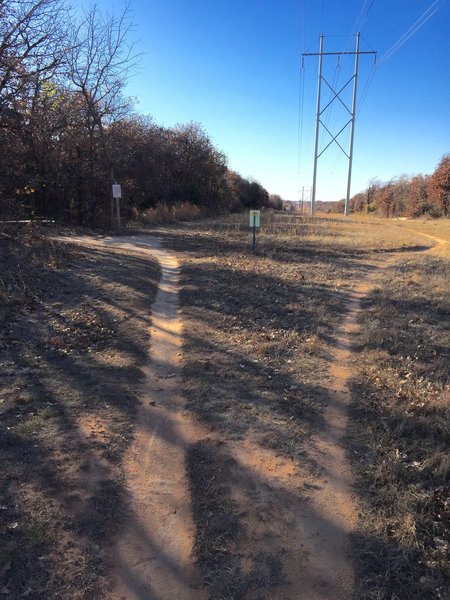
point(67, 133)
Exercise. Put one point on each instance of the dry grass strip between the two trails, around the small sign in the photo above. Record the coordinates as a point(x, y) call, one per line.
point(259, 333)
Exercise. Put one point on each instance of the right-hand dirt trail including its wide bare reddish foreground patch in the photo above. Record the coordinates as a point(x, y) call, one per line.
point(304, 514)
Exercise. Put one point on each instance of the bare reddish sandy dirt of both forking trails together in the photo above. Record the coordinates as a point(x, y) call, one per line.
point(304, 516)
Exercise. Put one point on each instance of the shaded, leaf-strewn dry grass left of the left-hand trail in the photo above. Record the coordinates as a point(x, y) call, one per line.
point(72, 341)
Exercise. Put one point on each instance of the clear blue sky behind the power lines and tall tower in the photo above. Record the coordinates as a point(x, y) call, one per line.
point(234, 67)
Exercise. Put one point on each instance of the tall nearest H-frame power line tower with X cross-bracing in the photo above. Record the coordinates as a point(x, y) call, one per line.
point(320, 111)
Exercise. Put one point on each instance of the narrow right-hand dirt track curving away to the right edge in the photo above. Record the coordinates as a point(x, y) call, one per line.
point(330, 512)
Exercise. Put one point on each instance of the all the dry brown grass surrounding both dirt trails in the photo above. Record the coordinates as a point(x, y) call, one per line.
point(259, 335)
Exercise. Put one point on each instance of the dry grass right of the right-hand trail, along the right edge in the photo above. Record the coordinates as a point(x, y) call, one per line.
point(401, 434)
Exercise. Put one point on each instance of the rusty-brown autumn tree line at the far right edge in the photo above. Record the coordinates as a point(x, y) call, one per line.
point(407, 196)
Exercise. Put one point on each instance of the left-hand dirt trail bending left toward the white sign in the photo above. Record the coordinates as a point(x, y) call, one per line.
point(152, 559)
